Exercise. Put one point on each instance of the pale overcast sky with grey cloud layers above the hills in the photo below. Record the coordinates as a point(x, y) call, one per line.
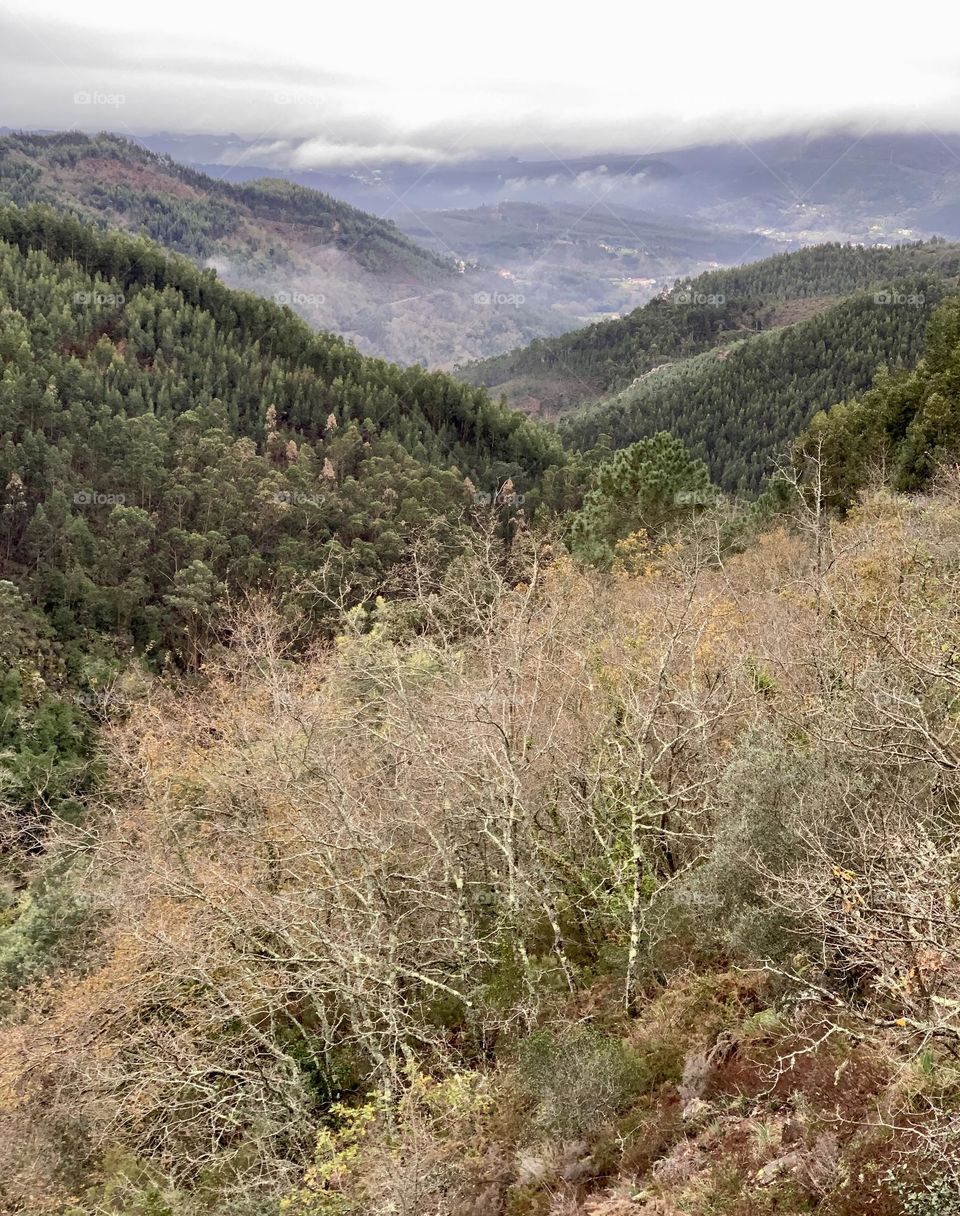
point(327, 83)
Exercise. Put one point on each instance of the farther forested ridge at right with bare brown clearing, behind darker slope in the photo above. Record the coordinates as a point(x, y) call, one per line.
point(716, 309)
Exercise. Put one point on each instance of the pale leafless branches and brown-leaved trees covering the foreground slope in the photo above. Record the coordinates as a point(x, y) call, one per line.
point(329, 860)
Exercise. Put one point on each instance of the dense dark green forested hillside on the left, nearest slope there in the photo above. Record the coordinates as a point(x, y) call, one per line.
point(164, 438)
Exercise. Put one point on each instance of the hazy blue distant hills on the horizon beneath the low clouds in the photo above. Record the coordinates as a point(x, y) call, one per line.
point(800, 188)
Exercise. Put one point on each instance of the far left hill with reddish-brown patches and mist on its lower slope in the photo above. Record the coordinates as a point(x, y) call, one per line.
point(340, 268)
